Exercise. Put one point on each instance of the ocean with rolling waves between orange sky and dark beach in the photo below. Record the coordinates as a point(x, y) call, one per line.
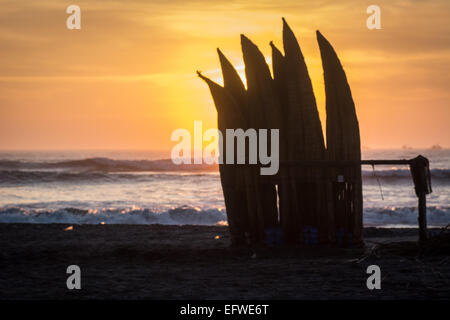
point(136, 187)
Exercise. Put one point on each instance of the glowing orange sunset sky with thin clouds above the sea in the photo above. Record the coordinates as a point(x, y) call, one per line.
point(127, 79)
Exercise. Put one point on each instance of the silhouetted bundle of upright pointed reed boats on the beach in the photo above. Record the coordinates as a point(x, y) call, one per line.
point(301, 204)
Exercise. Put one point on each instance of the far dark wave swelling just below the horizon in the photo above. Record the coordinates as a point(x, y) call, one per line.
point(105, 169)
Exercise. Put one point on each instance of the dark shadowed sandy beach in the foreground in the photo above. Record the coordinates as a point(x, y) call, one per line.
point(196, 262)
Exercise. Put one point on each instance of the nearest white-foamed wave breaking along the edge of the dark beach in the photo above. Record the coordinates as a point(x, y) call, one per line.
point(186, 215)
